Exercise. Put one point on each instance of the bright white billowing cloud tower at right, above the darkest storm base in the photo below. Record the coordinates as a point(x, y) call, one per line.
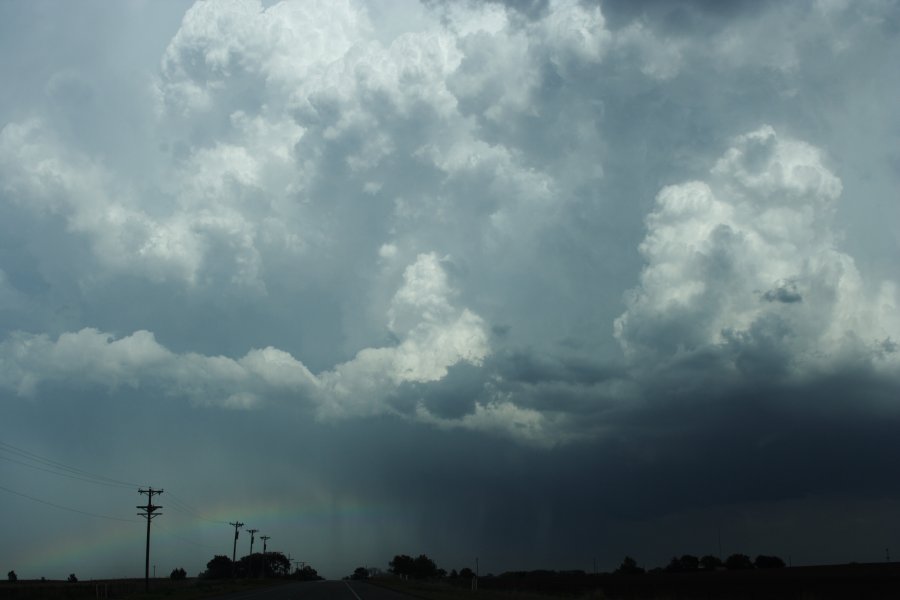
point(747, 266)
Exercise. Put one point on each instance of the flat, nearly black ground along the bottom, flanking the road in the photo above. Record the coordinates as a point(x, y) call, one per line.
point(874, 581)
